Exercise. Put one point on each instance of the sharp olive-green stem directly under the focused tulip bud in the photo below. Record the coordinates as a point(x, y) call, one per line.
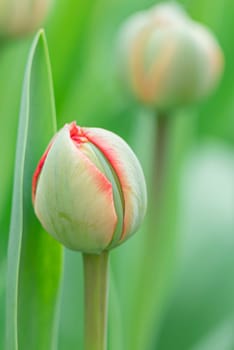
point(96, 298)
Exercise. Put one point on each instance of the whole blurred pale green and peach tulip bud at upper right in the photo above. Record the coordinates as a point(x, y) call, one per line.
point(167, 59)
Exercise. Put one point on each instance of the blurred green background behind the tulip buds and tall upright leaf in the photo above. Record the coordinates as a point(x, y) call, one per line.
point(191, 304)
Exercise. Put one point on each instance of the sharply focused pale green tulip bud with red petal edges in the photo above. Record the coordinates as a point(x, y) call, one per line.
point(89, 190)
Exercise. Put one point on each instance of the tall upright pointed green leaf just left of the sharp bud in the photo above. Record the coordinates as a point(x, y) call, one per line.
point(34, 259)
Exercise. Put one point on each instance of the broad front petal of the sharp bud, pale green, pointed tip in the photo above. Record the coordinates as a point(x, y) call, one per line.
point(85, 222)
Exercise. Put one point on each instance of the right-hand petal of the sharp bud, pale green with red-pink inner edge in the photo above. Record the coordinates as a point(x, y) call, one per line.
point(129, 173)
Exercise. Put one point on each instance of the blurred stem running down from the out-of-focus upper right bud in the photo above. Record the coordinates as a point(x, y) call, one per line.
point(153, 269)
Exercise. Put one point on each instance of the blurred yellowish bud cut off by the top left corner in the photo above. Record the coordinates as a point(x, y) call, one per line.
point(21, 17)
